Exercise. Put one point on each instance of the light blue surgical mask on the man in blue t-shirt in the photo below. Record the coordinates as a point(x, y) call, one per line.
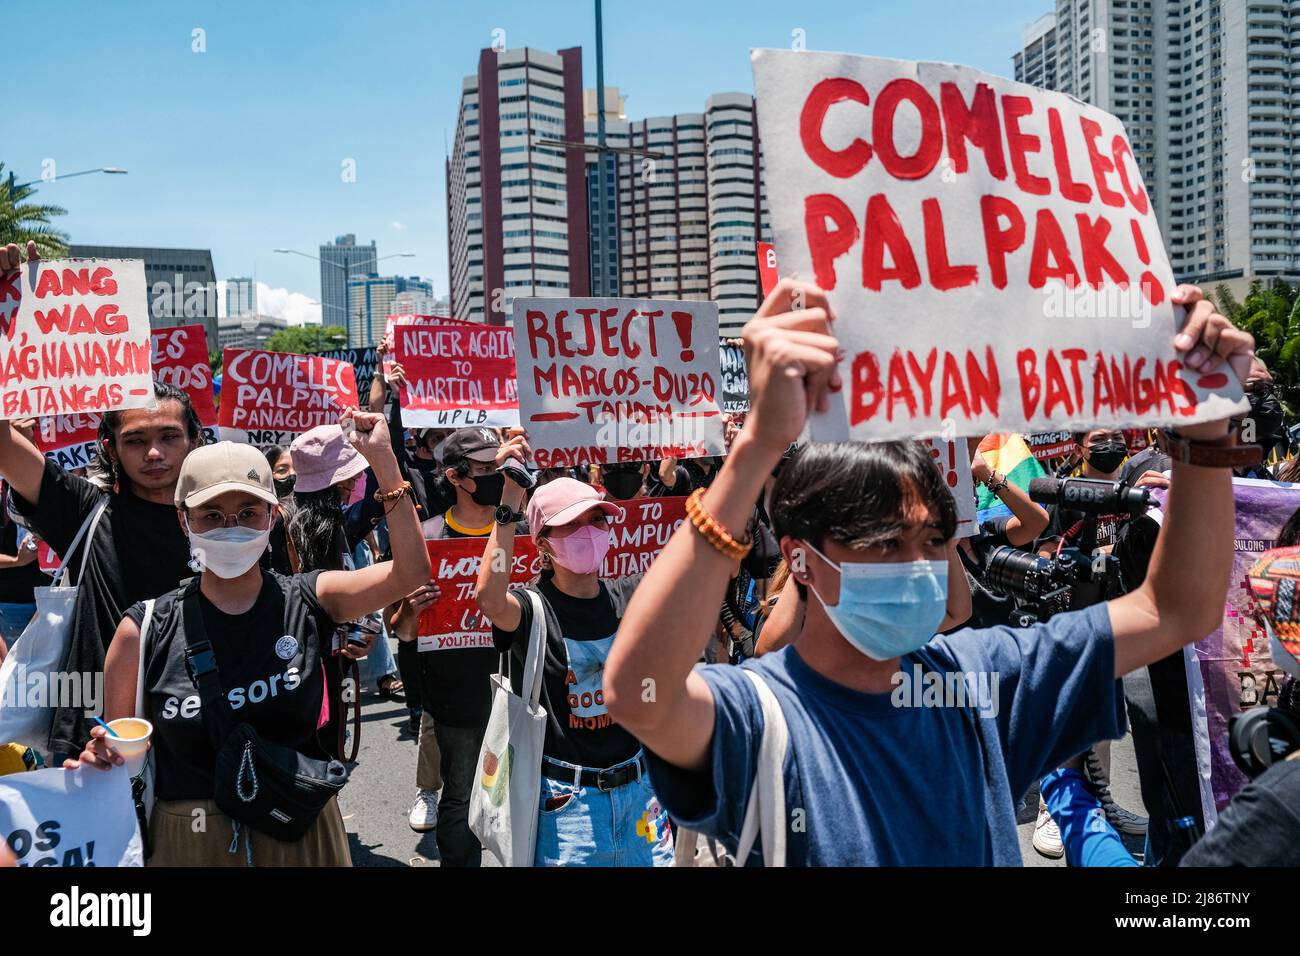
point(889, 609)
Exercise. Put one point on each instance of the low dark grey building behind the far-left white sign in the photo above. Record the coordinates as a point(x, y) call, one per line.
point(181, 284)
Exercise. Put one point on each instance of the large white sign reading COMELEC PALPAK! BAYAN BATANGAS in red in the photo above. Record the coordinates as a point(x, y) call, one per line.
point(990, 250)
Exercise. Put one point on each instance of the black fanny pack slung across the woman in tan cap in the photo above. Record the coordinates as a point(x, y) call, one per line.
point(271, 788)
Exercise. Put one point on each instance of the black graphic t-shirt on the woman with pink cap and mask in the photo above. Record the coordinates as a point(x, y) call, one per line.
point(579, 635)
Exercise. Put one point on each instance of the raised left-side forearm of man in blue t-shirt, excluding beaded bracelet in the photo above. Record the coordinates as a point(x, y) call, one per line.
point(675, 608)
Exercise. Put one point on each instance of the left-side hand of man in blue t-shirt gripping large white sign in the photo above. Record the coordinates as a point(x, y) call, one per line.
point(794, 364)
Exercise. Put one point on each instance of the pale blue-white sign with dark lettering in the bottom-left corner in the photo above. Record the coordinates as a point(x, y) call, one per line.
point(59, 817)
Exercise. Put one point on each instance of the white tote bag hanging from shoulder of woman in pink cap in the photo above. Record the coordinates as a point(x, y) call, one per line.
point(504, 802)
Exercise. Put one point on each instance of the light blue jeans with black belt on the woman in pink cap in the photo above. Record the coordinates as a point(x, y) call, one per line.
point(626, 827)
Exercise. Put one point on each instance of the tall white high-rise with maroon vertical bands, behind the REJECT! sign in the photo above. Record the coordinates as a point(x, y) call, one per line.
point(517, 207)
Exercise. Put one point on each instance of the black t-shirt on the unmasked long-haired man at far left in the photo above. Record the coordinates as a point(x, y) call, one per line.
point(140, 552)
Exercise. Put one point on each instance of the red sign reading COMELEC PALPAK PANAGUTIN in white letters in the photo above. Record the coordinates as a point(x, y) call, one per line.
point(278, 396)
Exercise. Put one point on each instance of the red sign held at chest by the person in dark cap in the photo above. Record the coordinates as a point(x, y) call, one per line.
point(453, 621)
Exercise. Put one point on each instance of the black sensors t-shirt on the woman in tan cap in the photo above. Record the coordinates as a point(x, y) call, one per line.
point(270, 663)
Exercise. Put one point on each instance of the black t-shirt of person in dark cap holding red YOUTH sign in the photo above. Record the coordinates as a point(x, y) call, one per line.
point(456, 684)
